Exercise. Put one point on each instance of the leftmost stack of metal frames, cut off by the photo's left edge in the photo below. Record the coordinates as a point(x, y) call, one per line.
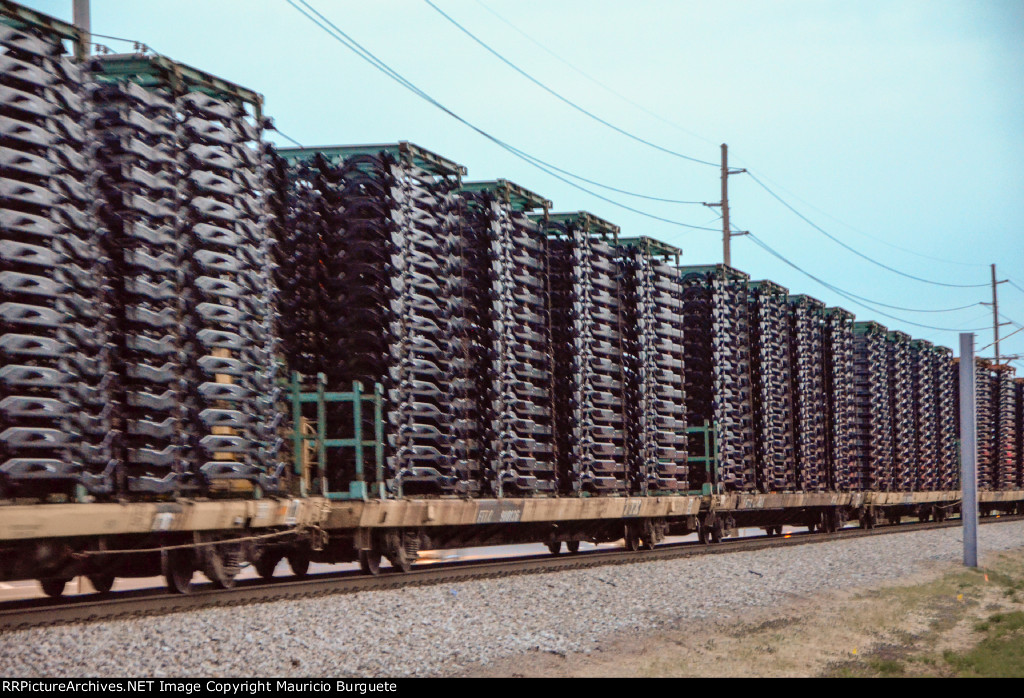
point(55, 363)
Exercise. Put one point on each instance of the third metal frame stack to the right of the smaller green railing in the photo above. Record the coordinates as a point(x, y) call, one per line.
point(807, 363)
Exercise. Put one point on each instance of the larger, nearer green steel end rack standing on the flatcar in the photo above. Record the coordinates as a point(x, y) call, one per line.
point(359, 398)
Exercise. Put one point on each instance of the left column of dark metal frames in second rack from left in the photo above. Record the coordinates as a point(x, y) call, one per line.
point(139, 182)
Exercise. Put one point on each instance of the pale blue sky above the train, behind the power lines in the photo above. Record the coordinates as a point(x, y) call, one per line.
point(895, 121)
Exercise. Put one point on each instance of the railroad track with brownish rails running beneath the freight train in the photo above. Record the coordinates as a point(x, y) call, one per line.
point(21, 615)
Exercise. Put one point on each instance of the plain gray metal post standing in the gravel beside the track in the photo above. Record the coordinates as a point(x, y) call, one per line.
point(969, 452)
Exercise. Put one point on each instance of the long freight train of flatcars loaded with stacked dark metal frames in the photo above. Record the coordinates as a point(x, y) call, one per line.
point(217, 354)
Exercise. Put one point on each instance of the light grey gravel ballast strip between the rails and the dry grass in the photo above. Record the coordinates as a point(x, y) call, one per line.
point(444, 629)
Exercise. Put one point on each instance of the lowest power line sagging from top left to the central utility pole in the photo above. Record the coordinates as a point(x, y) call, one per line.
point(344, 38)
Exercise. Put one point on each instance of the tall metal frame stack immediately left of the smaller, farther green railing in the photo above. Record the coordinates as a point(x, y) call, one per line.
point(656, 402)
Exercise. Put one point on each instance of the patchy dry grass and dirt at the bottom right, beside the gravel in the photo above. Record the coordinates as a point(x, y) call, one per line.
point(947, 623)
